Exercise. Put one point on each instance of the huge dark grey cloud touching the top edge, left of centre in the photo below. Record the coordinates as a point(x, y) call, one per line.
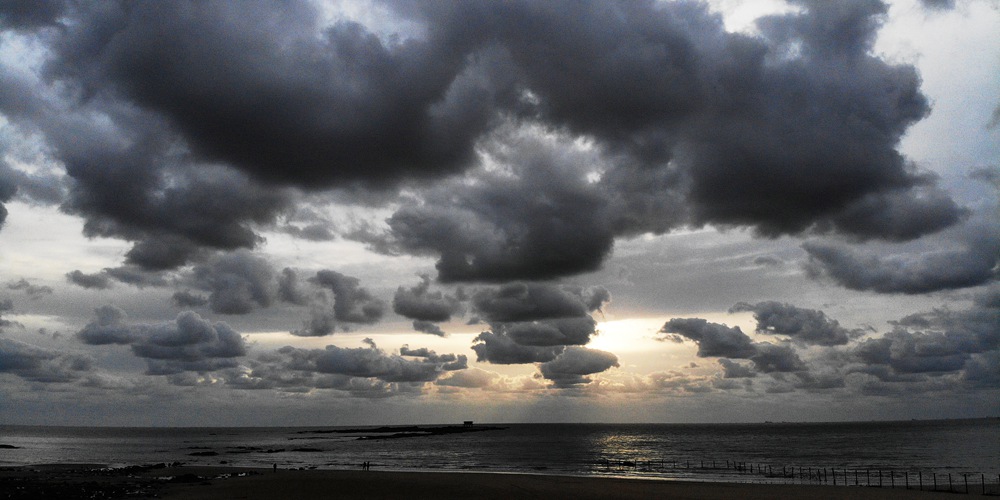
point(264, 87)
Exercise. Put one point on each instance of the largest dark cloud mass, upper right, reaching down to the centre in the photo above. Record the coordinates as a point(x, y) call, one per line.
point(695, 126)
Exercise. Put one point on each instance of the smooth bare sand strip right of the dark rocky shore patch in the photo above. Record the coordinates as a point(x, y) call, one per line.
point(316, 484)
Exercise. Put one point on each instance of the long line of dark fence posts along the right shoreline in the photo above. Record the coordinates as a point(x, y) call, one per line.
point(753, 472)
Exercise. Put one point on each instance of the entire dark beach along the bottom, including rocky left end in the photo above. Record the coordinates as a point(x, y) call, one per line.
point(194, 483)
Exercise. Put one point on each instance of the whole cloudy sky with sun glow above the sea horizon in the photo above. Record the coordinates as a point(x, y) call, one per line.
point(353, 212)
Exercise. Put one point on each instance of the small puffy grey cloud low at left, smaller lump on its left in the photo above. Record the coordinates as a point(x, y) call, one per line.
point(189, 343)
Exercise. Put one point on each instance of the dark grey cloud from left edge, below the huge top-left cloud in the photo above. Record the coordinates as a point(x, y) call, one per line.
point(129, 177)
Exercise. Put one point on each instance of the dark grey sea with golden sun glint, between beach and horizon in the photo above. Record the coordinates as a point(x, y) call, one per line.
point(752, 453)
